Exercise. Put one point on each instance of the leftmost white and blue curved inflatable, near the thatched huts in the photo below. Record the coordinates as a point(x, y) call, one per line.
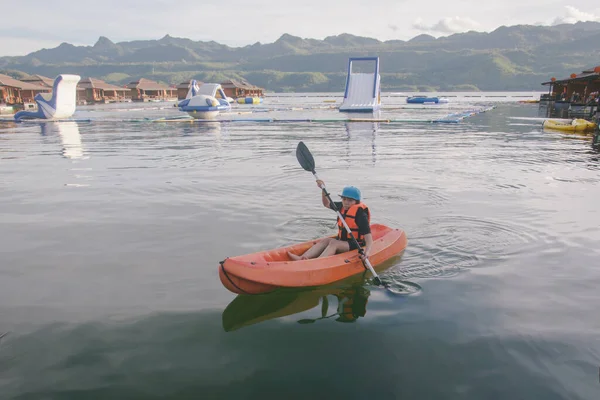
point(59, 104)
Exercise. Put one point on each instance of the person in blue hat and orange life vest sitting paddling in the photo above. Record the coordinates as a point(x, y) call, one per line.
point(358, 218)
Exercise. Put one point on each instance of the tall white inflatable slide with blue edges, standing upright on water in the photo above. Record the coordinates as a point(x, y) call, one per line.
point(363, 91)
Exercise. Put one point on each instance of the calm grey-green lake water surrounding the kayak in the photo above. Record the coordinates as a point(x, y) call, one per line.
point(112, 231)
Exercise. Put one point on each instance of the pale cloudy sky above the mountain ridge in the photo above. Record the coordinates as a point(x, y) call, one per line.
point(43, 24)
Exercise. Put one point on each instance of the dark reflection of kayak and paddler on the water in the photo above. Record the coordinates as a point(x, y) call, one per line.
point(344, 302)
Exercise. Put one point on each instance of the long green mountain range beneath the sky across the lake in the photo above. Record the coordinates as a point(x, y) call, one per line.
point(509, 58)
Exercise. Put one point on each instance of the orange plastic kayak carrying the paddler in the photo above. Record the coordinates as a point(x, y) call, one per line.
point(268, 270)
